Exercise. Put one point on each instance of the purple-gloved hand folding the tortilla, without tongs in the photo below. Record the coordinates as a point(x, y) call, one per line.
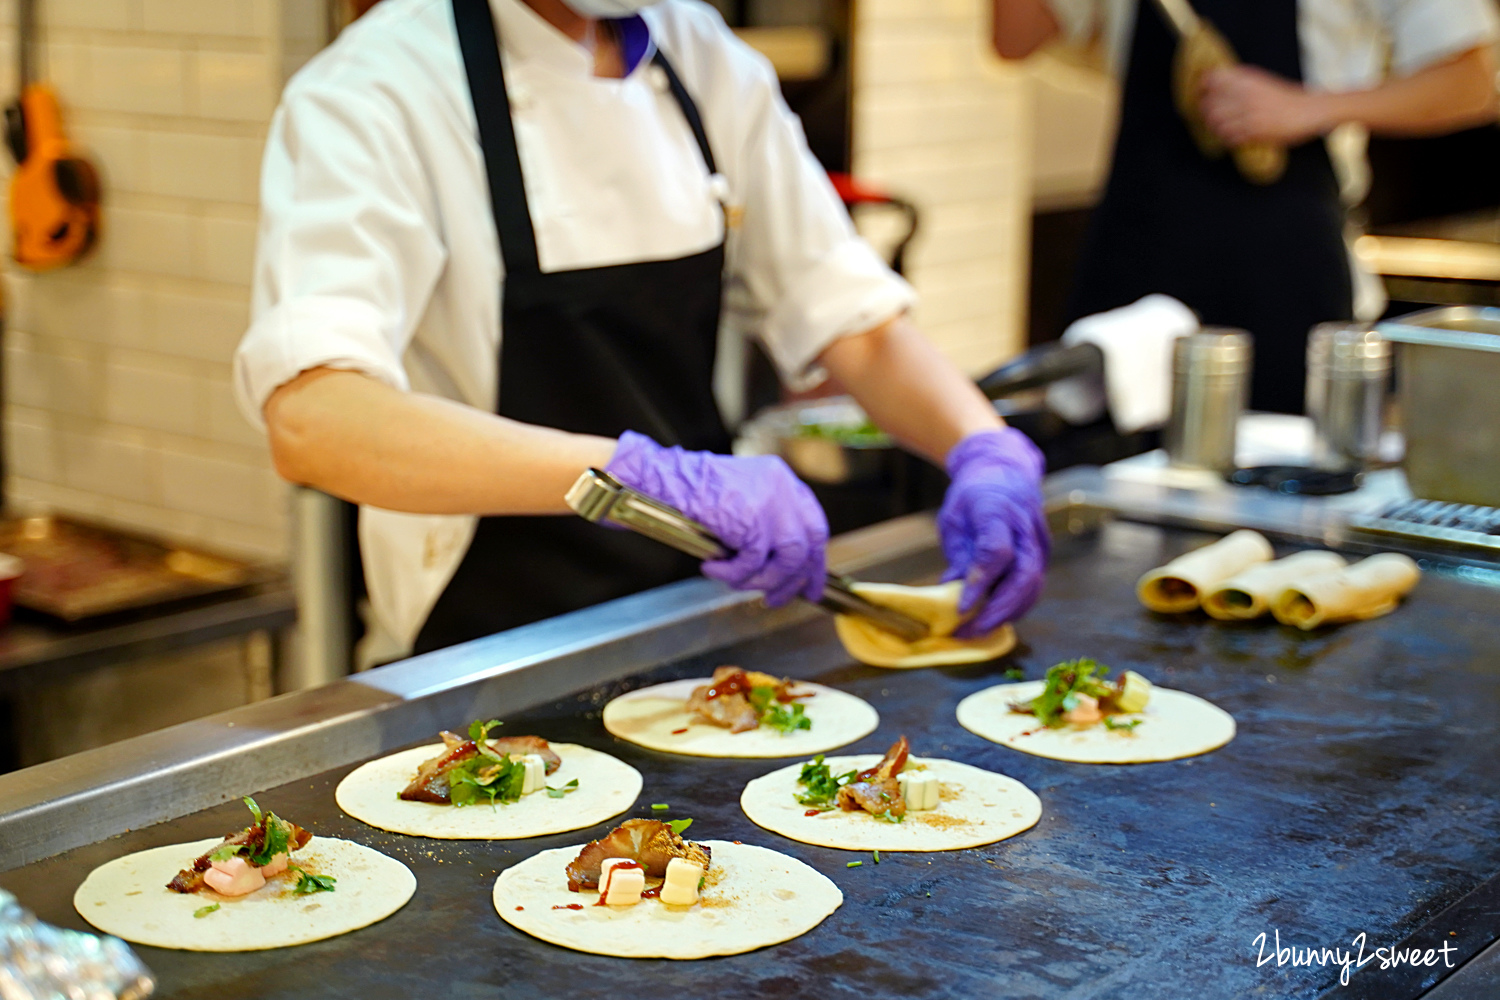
point(994, 530)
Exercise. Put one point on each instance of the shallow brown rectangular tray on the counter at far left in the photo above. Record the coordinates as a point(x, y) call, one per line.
point(76, 570)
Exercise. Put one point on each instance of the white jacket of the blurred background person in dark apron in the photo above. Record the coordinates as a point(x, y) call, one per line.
point(1346, 46)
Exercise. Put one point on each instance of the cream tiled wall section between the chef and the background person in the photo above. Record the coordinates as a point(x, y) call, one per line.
point(943, 122)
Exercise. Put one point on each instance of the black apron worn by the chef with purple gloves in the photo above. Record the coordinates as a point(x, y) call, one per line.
point(599, 352)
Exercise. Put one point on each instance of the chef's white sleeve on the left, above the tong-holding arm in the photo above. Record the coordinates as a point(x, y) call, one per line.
point(349, 248)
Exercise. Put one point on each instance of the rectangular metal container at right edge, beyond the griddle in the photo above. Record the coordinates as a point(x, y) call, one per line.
point(1448, 368)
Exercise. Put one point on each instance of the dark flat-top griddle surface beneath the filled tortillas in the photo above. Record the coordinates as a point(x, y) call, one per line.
point(1360, 797)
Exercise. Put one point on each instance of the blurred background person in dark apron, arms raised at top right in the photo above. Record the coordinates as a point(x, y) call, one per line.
point(1316, 79)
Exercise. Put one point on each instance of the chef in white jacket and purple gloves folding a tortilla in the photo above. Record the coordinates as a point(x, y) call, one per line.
point(499, 242)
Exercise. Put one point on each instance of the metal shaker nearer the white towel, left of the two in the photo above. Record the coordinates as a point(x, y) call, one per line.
point(1210, 389)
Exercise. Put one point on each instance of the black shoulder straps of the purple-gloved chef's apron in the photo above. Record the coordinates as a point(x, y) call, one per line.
point(479, 43)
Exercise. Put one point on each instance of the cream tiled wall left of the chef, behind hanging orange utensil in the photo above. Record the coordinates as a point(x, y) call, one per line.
point(118, 373)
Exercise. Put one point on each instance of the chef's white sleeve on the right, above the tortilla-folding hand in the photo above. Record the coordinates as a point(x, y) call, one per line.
point(800, 275)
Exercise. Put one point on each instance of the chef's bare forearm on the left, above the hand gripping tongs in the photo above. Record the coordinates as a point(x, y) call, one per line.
point(358, 439)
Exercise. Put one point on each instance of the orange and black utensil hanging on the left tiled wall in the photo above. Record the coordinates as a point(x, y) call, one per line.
point(55, 191)
